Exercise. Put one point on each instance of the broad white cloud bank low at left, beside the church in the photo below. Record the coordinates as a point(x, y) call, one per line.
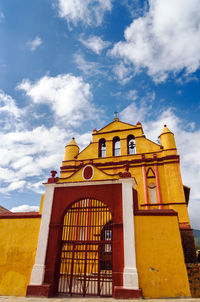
point(29, 155)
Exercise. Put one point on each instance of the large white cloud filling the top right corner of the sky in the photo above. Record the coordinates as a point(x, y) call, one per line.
point(165, 40)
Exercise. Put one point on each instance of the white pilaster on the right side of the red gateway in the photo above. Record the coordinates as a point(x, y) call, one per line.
point(130, 275)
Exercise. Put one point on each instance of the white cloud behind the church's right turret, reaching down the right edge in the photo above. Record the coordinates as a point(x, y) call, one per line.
point(187, 141)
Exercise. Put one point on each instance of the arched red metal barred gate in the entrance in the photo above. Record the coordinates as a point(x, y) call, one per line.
point(86, 256)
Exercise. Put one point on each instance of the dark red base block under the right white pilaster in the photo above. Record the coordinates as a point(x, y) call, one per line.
point(124, 293)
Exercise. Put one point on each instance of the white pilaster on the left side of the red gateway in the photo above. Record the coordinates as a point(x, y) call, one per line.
point(37, 274)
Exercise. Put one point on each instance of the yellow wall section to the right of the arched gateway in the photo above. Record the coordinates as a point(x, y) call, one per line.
point(159, 255)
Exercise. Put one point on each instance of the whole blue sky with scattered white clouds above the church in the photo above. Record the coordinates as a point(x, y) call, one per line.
point(67, 66)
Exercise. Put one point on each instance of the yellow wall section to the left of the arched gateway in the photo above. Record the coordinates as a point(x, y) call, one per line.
point(17, 254)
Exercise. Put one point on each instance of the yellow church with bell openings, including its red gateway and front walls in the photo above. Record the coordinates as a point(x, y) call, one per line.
point(114, 223)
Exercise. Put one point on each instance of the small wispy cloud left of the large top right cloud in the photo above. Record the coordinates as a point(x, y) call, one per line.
point(96, 44)
